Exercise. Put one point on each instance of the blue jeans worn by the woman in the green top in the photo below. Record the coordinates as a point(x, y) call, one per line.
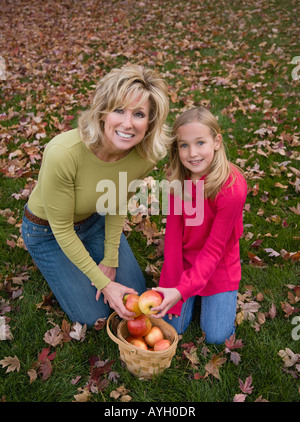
point(70, 286)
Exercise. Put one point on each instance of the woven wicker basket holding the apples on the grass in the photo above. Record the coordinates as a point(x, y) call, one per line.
point(144, 363)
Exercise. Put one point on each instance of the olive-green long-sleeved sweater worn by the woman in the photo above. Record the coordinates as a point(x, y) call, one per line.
point(73, 184)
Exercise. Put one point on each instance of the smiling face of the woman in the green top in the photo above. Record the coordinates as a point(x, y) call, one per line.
point(125, 127)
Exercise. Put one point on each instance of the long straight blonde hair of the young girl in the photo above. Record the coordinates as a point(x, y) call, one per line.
point(220, 168)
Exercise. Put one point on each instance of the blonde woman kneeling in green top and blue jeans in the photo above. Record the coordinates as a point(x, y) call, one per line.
point(78, 250)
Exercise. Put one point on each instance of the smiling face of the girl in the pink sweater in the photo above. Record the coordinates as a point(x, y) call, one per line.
point(197, 148)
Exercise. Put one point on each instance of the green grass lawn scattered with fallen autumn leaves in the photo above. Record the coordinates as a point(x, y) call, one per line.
point(239, 59)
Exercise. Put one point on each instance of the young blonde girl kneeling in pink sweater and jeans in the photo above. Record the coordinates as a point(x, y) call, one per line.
point(203, 260)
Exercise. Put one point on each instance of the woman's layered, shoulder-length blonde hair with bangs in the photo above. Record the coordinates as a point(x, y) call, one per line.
point(116, 90)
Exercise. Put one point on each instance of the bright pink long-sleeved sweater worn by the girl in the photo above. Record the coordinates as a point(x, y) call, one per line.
point(205, 260)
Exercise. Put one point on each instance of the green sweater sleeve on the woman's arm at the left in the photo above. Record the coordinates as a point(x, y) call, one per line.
point(58, 196)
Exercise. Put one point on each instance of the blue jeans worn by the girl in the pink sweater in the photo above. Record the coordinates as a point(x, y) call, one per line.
point(217, 316)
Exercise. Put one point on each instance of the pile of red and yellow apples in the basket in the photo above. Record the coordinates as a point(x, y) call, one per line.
point(141, 332)
